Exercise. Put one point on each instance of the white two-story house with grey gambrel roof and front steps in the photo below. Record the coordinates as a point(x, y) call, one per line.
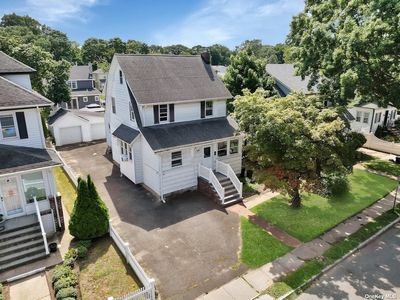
point(167, 125)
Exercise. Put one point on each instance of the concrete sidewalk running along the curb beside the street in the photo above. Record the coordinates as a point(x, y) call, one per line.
point(253, 283)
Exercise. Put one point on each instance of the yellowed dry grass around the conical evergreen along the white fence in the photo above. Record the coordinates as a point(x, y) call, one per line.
point(104, 271)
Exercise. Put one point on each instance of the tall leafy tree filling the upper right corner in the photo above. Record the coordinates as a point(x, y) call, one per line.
point(351, 49)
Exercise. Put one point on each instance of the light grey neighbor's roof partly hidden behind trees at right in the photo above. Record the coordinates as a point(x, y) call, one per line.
point(286, 74)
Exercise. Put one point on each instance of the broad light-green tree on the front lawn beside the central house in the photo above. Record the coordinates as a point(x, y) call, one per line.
point(295, 143)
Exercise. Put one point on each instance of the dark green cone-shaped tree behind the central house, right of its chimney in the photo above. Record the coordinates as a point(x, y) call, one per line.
point(247, 72)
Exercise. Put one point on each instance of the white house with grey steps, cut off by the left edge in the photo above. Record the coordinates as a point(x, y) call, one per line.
point(26, 169)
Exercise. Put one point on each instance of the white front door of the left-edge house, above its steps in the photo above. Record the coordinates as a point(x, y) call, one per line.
point(10, 197)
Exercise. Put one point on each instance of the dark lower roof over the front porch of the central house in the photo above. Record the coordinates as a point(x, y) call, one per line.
point(173, 135)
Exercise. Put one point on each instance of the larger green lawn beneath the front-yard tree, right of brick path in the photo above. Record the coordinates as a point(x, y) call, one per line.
point(318, 214)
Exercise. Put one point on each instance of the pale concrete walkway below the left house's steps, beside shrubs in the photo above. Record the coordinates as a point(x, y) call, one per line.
point(32, 288)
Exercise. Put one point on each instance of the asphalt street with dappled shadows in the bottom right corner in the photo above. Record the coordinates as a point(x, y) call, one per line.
point(372, 273)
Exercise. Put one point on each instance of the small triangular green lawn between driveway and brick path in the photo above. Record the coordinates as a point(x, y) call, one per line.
point(258, 246)
